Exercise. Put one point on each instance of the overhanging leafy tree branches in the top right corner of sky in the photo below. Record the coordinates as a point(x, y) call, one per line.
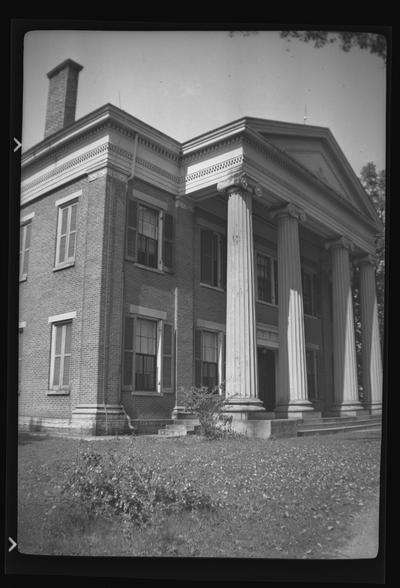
point(372, 42)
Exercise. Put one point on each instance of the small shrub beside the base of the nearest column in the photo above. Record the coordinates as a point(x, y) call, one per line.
point(208, 406)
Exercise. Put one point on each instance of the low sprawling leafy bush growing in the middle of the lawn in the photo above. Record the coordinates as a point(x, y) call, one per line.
point(109, 486)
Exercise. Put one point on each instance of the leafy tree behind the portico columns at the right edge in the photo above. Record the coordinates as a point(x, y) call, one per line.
point(374, 183)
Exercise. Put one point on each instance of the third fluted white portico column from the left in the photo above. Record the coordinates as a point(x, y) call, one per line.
point(344, 348)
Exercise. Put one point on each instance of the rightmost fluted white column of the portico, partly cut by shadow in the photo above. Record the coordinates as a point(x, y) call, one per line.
point(371, 348)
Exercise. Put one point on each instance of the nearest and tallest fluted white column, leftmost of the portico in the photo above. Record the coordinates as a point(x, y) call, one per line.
point(241, 346)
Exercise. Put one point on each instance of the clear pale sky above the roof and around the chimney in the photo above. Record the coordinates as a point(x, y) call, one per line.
point(185, 83)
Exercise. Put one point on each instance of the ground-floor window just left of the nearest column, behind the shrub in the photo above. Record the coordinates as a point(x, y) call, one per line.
point(209, 359)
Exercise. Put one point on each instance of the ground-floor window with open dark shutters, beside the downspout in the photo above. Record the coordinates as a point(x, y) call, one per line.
point(148, 353)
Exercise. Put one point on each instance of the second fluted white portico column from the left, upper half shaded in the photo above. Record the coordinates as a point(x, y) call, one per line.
point(292, 398)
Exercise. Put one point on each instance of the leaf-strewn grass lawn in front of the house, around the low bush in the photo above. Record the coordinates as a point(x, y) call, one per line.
point(290, 498)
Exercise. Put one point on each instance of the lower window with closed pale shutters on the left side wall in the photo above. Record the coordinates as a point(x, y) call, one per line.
point(60, 366)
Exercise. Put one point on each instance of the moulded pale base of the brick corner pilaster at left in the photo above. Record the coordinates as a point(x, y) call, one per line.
point(99, 419)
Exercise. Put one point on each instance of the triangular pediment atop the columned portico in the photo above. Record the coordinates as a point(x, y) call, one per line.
point(316, 150)
